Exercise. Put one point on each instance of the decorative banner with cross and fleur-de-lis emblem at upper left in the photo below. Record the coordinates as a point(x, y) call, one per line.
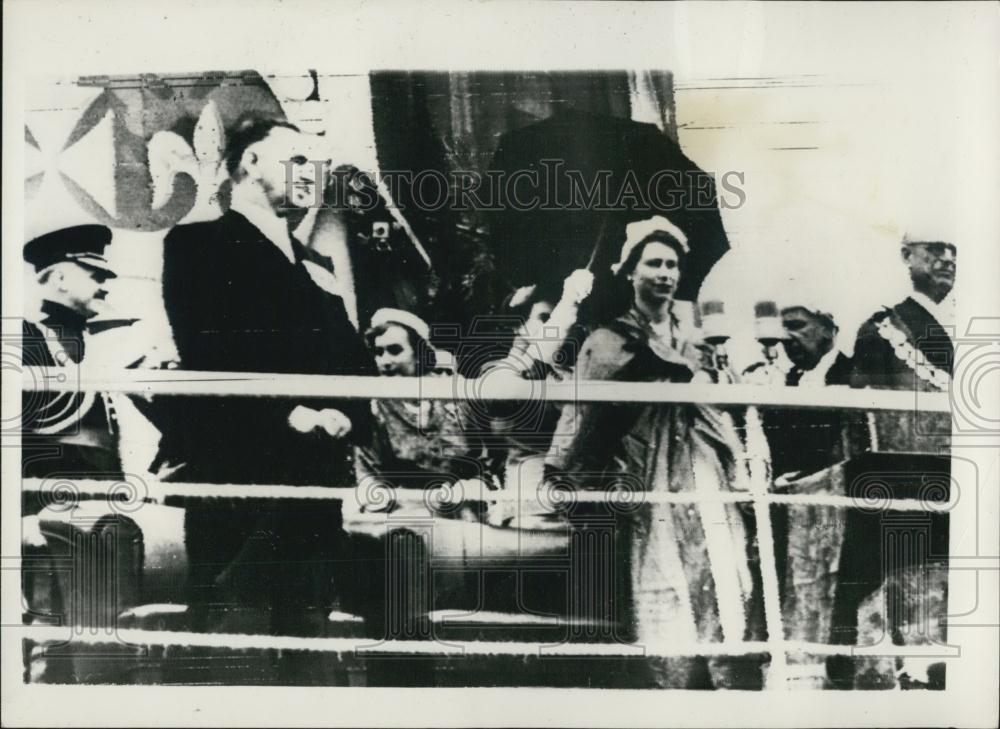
point(144, 153)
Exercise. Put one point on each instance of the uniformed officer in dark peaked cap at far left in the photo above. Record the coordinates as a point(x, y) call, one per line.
point(66, 433)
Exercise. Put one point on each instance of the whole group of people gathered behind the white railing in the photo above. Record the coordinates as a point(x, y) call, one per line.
point(243, 294)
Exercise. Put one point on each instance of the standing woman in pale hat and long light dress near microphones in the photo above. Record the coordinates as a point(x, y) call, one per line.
point(689, 578)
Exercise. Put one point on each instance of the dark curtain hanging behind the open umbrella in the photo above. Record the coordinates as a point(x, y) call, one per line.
point(453, 122)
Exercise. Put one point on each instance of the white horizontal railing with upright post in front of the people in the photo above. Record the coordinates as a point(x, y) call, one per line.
point(186, 382)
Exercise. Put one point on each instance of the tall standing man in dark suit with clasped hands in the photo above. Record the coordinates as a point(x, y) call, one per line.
point(242, 294)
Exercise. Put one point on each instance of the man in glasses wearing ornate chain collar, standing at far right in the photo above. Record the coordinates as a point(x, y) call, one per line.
point(906, 347)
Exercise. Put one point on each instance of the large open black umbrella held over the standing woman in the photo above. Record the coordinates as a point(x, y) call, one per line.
point(595, 175)
